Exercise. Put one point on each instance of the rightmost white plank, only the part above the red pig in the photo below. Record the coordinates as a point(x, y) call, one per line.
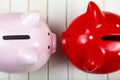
point(112, 6)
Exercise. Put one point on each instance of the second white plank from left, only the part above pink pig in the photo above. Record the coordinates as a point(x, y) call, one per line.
point(19, 5)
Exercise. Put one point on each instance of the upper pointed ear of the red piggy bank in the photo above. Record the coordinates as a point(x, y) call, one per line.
point(95, 13)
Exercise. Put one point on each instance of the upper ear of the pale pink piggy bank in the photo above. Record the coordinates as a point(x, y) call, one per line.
point(30, 19)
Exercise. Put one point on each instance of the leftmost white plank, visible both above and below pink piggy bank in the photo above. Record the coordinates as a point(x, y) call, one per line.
point(4, 8)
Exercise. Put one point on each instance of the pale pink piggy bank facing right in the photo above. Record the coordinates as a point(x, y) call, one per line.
point(26, 42)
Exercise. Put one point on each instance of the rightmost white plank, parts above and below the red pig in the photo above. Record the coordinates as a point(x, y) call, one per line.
point(113, 6)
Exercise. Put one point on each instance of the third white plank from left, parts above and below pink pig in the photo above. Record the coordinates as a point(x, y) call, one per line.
point(41, 6)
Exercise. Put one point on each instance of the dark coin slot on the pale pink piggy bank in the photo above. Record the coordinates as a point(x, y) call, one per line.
point(16, 37)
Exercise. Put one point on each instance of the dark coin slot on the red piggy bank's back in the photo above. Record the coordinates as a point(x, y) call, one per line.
point(111, 38)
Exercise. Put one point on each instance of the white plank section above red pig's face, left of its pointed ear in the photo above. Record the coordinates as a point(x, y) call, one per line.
point(74, 9)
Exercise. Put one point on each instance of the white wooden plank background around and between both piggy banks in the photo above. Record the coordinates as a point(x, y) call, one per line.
point(58, 14)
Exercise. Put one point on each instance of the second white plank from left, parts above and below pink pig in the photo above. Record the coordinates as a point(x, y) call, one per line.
point(19, 6)
